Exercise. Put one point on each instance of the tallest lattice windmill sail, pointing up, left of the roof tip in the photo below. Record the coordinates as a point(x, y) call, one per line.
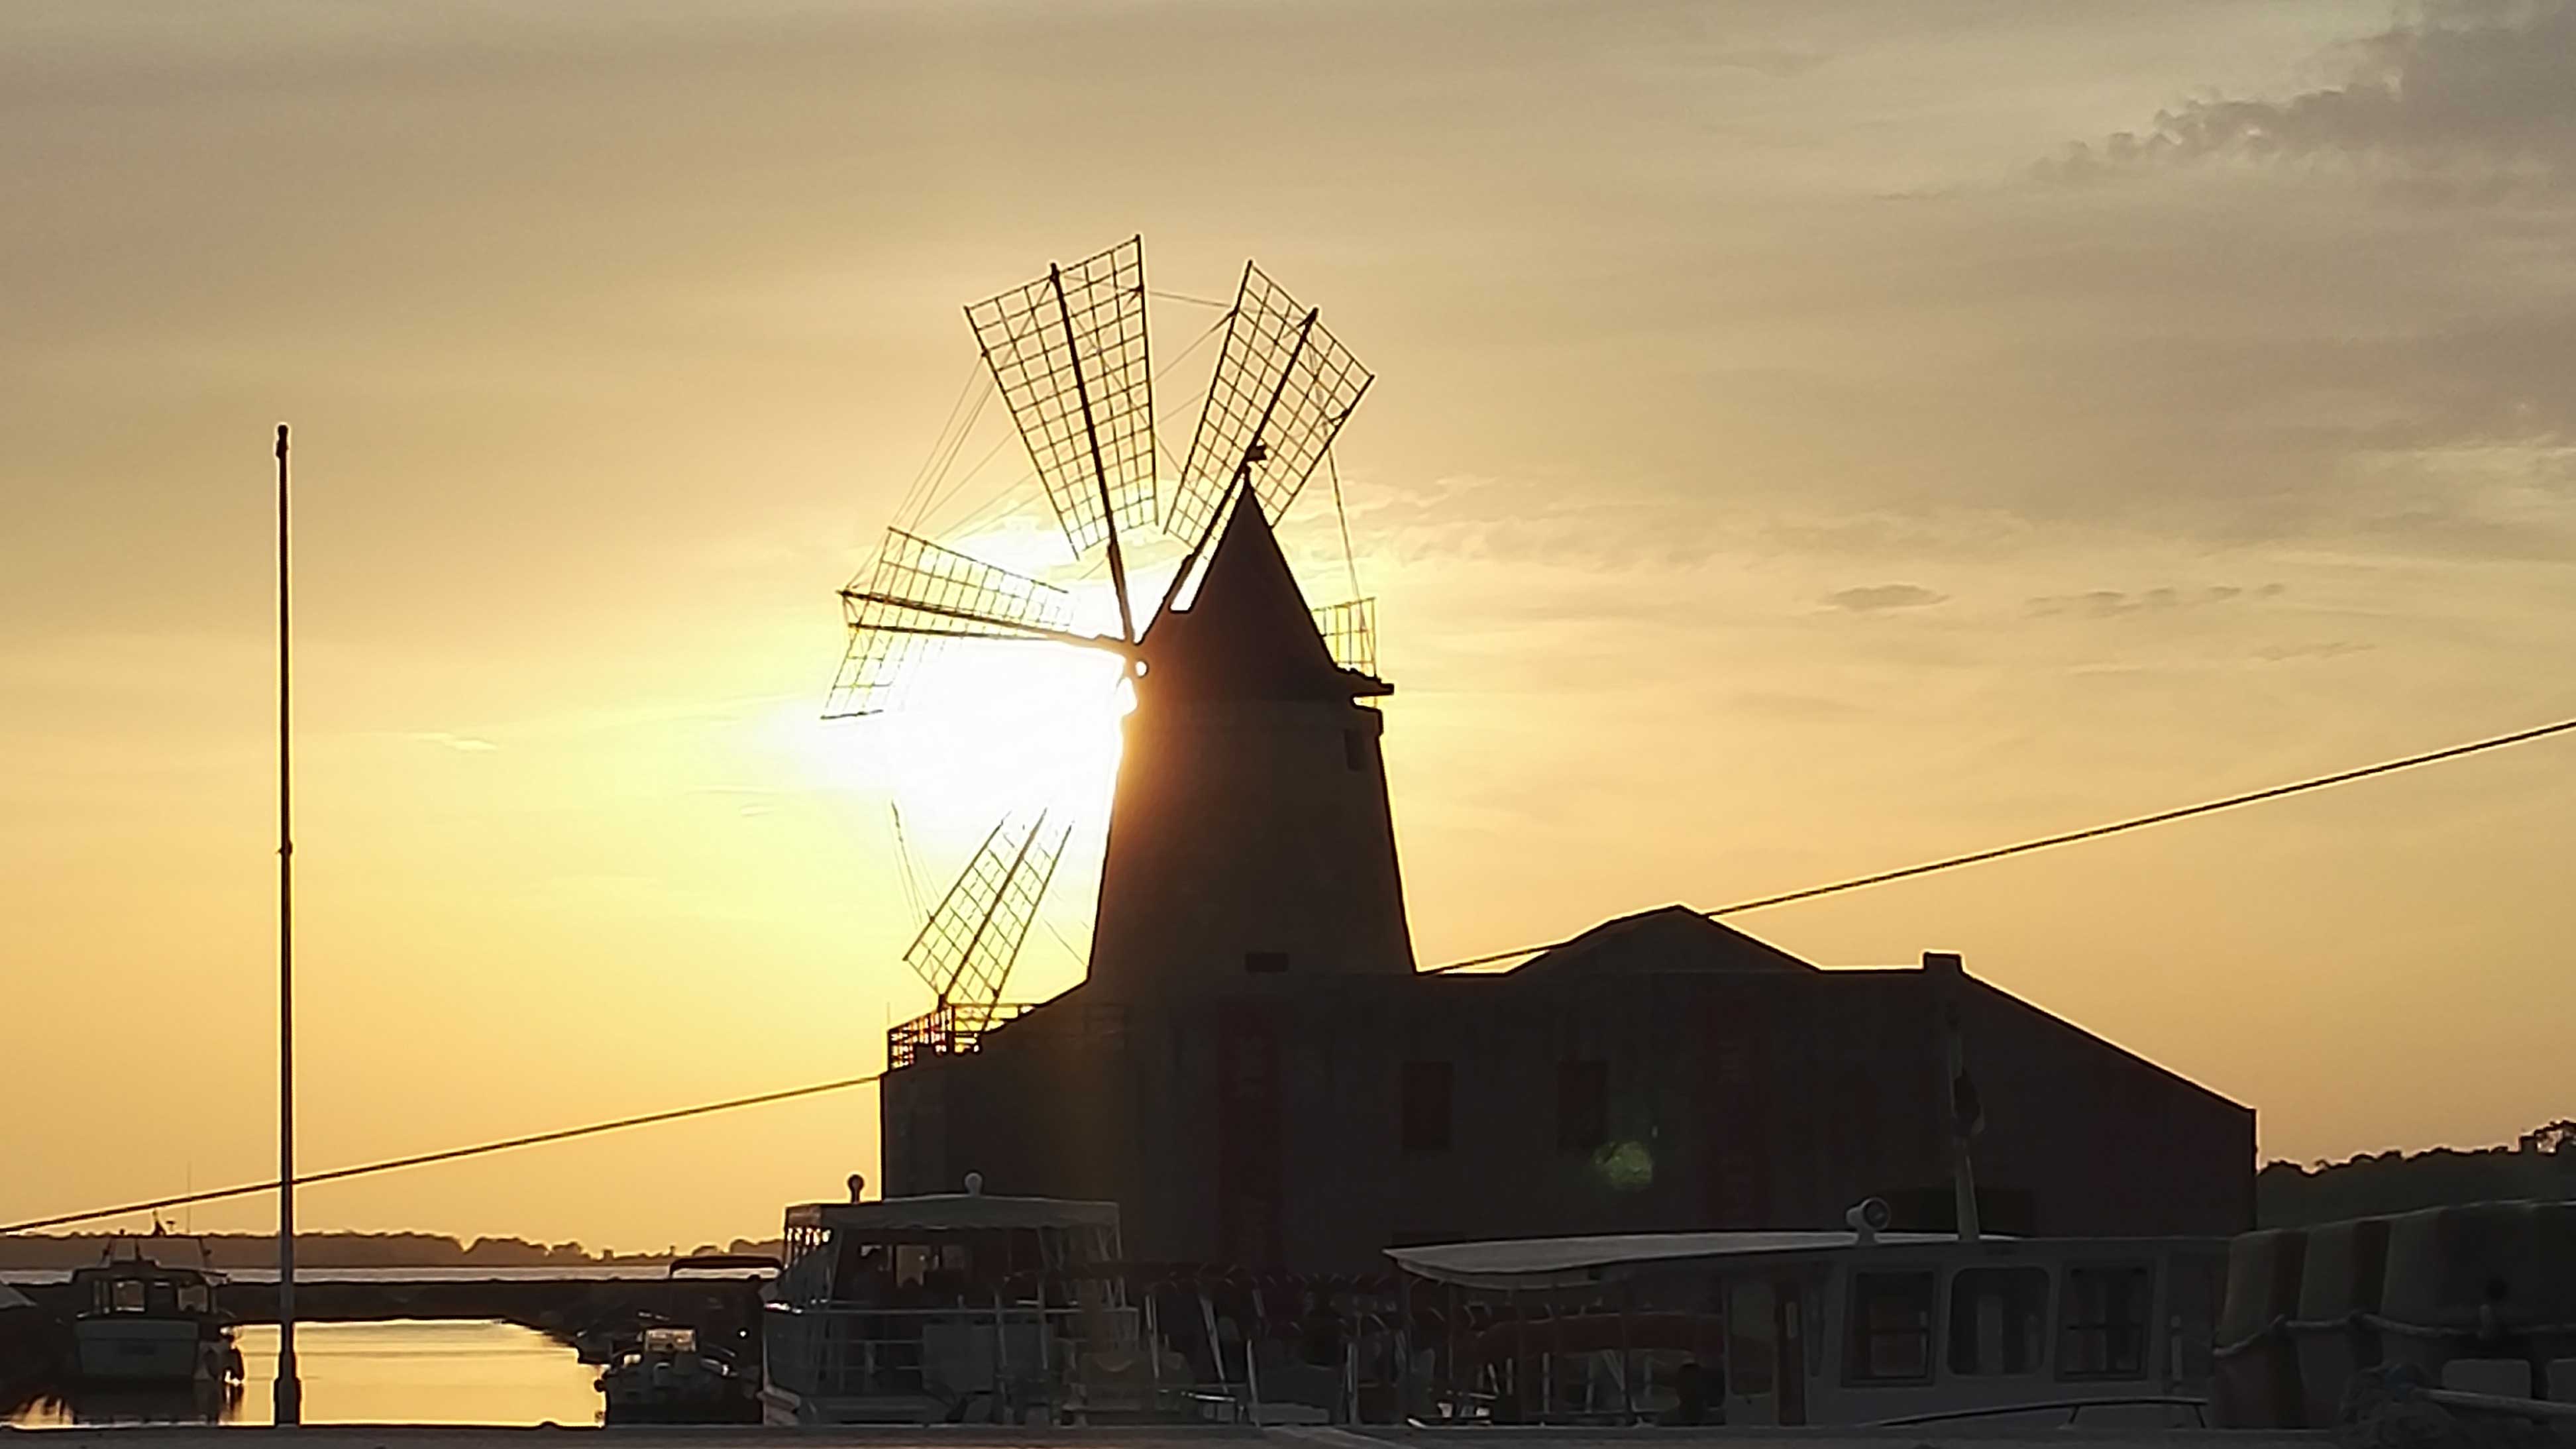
point(1060, 352)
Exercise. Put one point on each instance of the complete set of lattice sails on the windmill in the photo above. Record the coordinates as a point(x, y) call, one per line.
point(1073, 365)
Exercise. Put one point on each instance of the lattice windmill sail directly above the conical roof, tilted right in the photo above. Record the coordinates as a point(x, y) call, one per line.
point(1284, 383)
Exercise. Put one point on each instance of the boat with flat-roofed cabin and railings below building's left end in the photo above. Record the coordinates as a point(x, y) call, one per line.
point(944, 1308)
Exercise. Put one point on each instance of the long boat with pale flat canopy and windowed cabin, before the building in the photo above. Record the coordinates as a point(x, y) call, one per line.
point(1820, 1329)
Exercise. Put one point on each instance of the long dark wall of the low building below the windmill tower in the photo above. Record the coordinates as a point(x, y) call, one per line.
point(1266, 1128)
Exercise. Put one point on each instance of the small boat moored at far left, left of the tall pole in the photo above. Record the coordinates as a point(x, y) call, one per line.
point(148, 1321)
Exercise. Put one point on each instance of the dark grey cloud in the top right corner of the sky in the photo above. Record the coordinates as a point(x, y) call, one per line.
point(2474, 97)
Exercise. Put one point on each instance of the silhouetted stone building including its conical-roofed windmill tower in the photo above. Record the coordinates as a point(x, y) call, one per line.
point(1258, 1074)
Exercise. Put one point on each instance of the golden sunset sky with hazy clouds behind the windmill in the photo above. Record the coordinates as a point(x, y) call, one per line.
point(1807, 440)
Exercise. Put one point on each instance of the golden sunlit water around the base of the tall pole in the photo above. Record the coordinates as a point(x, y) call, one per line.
point(375, 1373)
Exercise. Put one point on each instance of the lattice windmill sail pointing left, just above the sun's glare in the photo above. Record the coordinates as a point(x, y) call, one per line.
point(918, 594)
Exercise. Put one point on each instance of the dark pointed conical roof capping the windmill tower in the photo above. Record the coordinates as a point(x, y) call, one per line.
point(1248, 636)
